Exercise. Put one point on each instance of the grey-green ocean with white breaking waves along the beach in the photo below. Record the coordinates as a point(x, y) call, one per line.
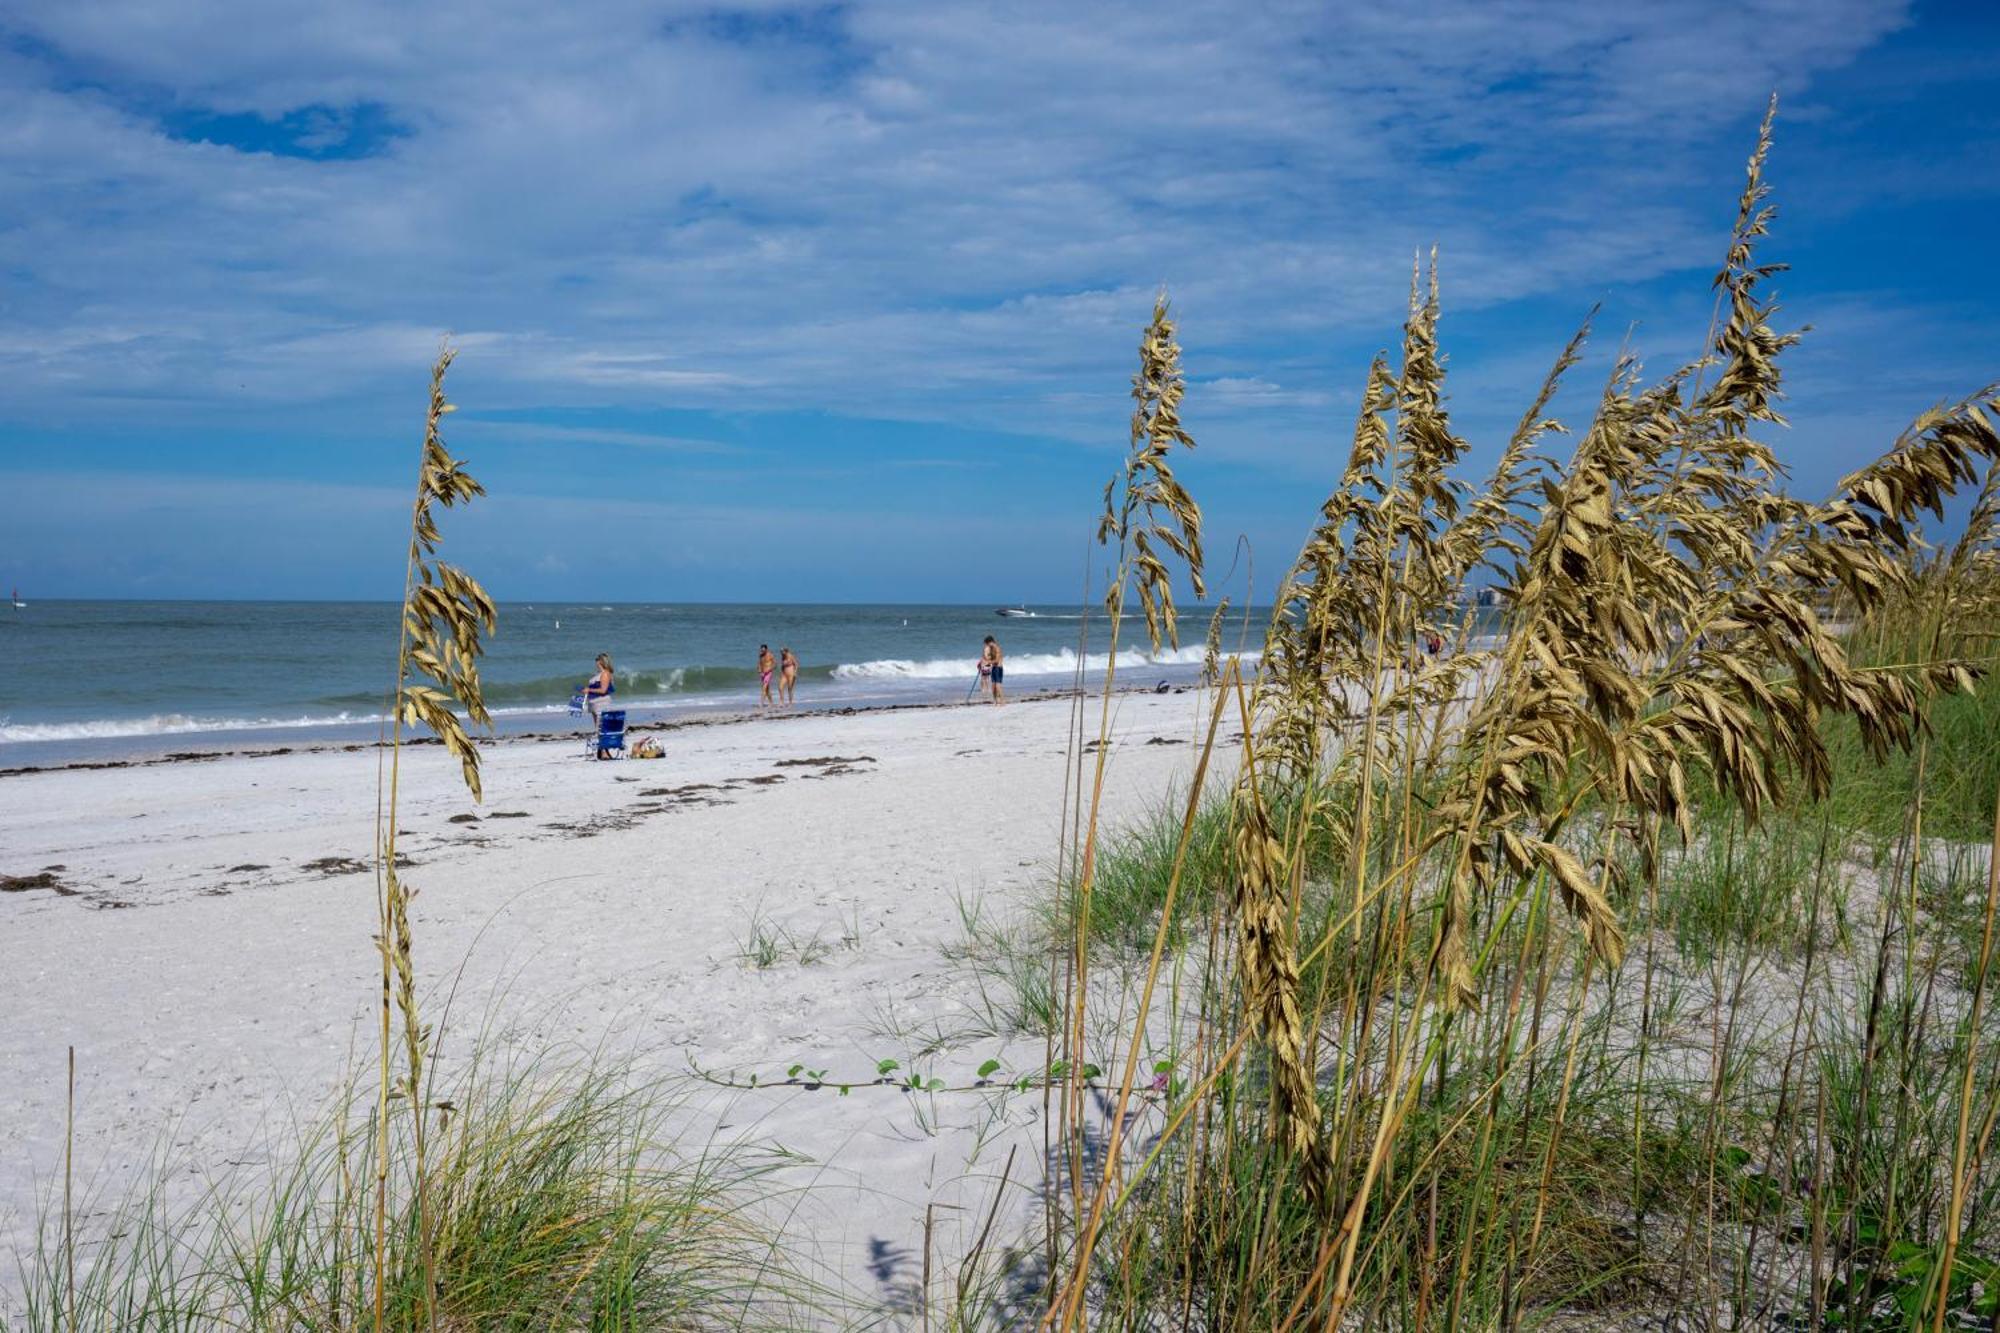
point(97, 680)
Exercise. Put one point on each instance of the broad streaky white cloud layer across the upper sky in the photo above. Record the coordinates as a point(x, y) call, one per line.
point(915, 211)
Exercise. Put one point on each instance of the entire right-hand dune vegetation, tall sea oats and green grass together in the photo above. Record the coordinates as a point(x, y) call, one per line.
point(1635, 962)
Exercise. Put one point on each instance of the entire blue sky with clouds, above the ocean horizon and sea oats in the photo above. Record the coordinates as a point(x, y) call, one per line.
point(841, 303)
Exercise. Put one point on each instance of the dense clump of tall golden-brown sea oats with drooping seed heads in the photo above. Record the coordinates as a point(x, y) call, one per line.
point(1665, 623)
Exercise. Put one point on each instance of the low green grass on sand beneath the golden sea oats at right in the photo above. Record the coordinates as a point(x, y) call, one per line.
point(1781, 1010)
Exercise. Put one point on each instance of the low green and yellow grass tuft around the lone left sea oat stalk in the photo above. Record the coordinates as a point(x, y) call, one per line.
point(557, 1200)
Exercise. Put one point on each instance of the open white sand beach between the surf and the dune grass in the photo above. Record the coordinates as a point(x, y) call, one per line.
point(213, 986)
